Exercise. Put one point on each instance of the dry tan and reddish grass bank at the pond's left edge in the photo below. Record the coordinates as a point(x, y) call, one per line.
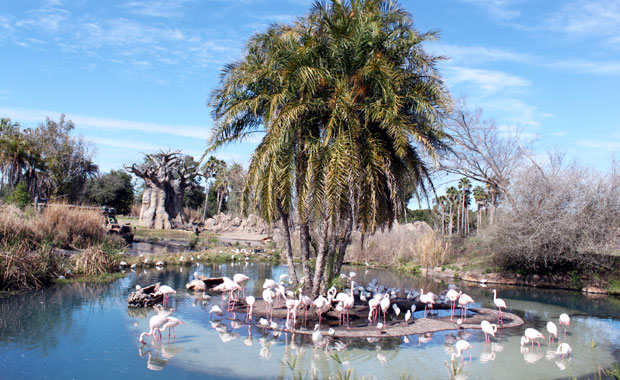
point(29, 244)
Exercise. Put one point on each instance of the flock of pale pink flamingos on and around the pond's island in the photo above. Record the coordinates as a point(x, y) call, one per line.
point(379, 300)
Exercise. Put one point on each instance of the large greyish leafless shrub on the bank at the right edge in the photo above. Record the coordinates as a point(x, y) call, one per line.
point(565, 217)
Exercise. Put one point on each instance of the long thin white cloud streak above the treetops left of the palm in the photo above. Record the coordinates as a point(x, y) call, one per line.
point(109, 124)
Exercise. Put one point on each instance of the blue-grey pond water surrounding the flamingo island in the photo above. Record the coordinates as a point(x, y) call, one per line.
point(86, 331)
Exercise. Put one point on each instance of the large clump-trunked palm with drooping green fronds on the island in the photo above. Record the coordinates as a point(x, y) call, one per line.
point(347, 98)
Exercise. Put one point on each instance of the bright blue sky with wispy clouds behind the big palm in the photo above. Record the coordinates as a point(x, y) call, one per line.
point(135, 75)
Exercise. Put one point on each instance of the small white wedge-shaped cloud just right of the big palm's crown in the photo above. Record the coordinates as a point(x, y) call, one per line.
point(487, 80)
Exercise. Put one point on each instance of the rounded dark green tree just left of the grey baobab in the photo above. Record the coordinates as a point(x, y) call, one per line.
point(114, 189)
